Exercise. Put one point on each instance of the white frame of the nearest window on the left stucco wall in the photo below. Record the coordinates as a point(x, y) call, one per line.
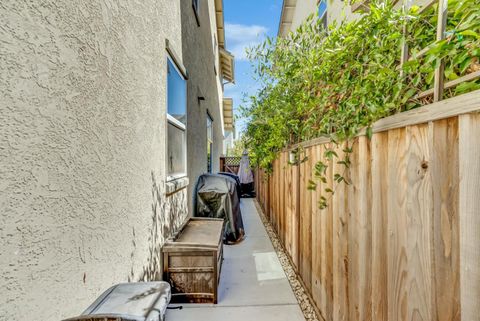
point(171, 120)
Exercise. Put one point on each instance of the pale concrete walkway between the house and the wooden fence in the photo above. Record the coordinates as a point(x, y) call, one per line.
point(253, 285)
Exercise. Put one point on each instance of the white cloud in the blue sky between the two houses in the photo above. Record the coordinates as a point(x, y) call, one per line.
point(239, 37)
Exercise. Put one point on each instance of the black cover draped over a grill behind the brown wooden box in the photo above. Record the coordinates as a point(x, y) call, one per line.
point(217, 196)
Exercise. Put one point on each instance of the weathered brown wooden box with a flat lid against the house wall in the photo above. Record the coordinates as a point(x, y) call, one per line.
point(192, 261)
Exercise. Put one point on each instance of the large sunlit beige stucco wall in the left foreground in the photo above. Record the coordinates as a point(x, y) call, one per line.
point(82, 145)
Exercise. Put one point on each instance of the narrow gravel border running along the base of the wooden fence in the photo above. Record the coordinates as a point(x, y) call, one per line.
point(303, 298)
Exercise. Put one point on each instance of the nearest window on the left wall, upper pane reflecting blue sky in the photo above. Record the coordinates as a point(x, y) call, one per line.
point(177, 120)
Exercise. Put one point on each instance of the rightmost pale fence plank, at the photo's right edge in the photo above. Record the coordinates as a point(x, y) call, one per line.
point(469, 162)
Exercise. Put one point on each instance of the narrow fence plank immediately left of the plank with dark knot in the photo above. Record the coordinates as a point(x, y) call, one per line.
point(397, 226)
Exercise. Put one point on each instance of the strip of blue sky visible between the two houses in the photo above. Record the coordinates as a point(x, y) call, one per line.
point(247, 22)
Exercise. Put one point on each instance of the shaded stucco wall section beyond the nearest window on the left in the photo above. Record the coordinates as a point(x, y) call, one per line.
point(198, 56)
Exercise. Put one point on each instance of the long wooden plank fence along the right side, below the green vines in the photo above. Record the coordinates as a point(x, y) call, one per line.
point(402, 241)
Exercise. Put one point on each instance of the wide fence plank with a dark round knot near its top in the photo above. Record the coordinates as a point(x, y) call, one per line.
point(419, 226)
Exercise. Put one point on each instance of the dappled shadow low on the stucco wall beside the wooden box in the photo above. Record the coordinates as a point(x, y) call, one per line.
point(168, 214)
